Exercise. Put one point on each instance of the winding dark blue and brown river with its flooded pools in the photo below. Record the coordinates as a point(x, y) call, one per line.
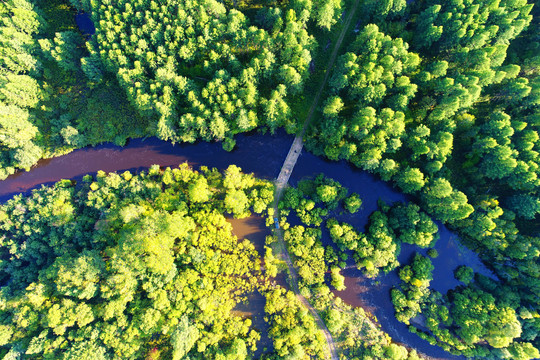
point(263, 155)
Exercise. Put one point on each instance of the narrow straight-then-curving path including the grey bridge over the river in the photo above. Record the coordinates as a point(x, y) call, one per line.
point(286, 171)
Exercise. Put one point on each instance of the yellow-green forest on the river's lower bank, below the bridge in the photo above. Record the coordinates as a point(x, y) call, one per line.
point(145, 265)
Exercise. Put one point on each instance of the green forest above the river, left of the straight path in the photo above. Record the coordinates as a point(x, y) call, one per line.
point(182, 71)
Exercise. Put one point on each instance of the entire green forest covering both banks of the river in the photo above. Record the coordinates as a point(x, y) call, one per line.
point(439, 98)
